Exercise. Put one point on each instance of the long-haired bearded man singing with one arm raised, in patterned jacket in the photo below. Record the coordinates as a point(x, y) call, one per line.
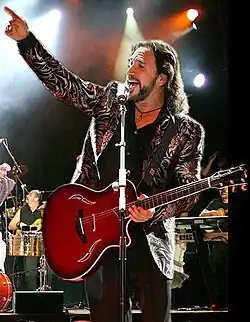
point(156, 99)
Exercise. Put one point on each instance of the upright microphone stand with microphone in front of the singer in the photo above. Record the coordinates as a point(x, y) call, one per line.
point(122, 208)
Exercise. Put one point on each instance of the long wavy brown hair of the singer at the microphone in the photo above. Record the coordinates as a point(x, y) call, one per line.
point(167, 63)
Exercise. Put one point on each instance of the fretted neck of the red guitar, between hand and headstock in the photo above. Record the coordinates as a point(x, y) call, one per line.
point(174, 194)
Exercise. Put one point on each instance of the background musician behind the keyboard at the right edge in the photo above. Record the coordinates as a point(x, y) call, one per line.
point(218, 240)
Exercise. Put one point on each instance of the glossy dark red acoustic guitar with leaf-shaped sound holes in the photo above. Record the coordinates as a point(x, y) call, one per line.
point(80, 224)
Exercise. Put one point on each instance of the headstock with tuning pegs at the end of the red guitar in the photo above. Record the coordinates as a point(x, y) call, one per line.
point(232, 177)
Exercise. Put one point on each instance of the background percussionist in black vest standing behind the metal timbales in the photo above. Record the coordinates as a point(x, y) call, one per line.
point(29, 215)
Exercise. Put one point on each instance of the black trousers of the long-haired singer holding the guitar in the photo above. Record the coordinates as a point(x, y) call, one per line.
point(144, 281)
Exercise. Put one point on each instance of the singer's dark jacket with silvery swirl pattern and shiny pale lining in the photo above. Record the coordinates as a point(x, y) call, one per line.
point(181, 162)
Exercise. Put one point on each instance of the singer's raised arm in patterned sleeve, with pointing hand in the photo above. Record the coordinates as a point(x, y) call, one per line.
point(63, 84)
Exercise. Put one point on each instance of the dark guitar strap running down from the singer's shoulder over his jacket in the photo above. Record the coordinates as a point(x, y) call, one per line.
point(157, 157)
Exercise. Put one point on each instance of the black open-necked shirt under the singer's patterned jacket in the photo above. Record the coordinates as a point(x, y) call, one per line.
point(137, 142)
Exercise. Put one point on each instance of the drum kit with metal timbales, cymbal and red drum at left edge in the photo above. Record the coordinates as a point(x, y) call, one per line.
point(27, 242)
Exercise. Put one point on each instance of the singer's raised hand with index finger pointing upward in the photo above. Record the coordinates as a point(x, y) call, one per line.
point(17, 28)
